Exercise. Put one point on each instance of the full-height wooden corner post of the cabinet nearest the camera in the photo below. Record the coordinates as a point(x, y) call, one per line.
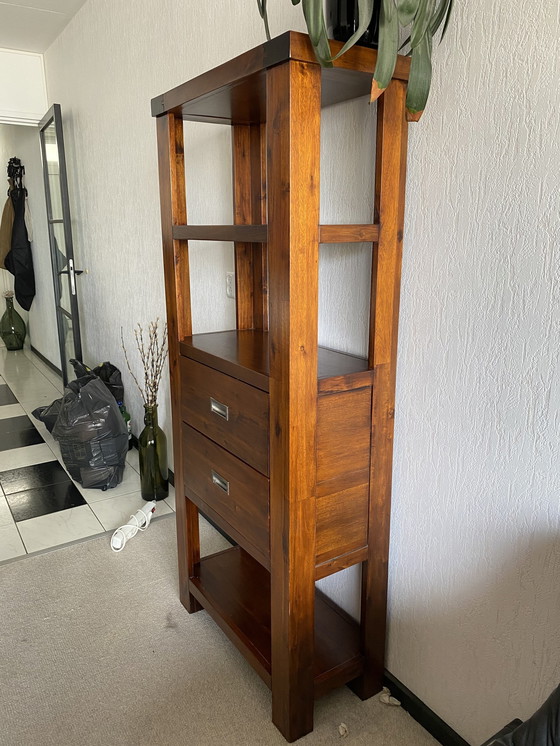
point(293, 131)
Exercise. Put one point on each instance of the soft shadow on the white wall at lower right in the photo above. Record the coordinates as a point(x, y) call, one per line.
point(509, 621)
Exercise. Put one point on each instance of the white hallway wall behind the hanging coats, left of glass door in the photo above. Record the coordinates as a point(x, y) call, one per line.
point(41, 319)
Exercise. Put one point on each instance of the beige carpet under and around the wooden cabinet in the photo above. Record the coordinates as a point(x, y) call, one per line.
point(96, 650)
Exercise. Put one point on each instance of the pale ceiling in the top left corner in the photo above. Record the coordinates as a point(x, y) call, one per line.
point(33, 25)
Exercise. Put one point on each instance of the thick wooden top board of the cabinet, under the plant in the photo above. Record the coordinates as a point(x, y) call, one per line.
point(235, 92)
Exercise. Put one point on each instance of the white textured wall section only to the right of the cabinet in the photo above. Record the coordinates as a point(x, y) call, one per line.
point(475, 562)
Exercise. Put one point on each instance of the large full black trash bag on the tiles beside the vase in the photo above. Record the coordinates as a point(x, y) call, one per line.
point(92, 434)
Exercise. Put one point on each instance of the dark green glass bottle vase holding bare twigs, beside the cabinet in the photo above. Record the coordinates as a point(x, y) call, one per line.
point(152, 449)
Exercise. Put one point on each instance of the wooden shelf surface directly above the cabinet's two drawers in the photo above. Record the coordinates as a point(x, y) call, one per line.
point(244, 355)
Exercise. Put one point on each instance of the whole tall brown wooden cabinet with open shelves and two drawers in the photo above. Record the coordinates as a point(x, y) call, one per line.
point(285, 445)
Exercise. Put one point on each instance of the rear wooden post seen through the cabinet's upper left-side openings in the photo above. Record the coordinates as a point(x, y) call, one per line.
point(249, 205)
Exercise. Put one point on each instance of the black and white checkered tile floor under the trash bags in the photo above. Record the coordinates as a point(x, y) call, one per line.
point(40, 506)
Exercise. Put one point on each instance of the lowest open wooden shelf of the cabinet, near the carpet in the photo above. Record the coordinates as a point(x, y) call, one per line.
point(235, 590)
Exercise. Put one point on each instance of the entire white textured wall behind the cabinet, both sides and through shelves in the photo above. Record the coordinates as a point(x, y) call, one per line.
point(475, 560)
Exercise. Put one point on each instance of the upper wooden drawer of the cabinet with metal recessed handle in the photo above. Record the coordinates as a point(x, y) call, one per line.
point(231, 413)
